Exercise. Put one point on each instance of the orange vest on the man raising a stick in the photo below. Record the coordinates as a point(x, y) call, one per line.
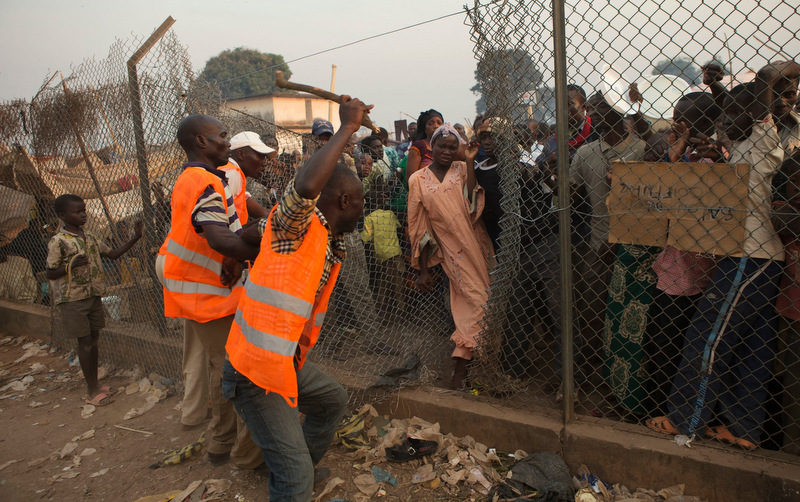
point(280, 313)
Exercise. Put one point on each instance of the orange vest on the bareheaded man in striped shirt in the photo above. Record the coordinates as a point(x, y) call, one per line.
point(192, 286)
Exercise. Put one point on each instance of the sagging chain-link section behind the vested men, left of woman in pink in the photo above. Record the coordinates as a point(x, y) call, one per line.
point(368, 330)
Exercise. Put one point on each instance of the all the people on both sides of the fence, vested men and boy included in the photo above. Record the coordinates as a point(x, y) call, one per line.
point(689, 341)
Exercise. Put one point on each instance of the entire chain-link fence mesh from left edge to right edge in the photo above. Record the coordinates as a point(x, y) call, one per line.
point(677, 268)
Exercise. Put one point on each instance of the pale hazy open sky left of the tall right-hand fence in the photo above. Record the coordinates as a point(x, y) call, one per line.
point(403, 73)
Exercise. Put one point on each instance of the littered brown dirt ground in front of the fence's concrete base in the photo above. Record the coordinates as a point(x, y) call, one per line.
point(54, 447)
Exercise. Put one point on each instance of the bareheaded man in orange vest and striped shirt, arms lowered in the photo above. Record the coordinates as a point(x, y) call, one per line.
point(203, 240)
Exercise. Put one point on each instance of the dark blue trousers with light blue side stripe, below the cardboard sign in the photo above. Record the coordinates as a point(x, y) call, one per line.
point(728, 350)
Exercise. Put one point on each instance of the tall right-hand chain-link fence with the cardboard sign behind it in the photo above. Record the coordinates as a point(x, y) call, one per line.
point(684, 308)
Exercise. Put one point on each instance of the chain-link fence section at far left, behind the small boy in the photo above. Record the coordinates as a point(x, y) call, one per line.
point(76, 136)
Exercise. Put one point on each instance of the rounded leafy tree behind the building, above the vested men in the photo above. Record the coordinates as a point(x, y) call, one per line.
point(244, 72)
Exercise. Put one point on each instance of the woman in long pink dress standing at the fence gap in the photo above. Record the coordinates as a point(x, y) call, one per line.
point(444, 207)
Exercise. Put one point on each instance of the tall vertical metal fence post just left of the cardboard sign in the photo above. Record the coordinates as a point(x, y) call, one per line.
point(562, 134)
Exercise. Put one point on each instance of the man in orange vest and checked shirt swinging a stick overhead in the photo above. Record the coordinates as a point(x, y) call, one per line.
point(268, 375)
